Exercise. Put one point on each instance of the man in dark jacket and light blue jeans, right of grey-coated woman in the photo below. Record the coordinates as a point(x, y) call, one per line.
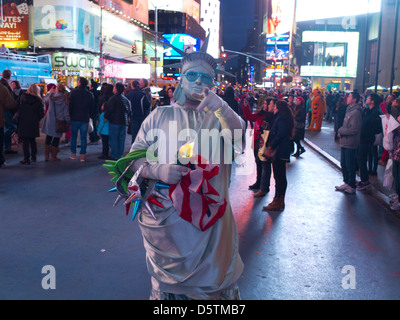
point(81, 109)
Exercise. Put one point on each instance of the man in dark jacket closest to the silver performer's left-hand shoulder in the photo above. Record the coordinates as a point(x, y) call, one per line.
point(140, 108)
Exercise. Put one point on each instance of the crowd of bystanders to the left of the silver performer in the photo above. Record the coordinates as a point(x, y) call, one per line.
point(86, 113)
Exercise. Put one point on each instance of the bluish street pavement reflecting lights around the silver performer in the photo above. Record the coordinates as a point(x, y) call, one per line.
point(324, 245)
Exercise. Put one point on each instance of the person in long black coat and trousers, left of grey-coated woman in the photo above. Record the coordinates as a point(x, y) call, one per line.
point(31, 109)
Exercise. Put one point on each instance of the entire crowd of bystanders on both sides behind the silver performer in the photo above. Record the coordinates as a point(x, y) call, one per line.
point(279, 120)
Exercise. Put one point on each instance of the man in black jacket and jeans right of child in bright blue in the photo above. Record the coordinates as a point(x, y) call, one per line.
point(117, 116)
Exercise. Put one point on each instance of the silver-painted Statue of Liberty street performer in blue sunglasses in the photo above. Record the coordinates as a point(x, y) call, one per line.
point(189, 233)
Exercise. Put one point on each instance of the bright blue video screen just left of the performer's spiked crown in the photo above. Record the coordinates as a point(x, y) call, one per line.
point(182, 42)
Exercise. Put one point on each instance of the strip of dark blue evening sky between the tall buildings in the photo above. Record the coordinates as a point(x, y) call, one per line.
point(238, 18)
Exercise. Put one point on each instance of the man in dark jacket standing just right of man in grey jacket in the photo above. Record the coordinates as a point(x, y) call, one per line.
point(371, 125)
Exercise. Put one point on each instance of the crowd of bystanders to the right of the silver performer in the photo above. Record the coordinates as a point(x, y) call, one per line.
point(360, 126)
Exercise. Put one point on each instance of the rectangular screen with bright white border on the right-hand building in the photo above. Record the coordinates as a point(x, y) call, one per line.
point(334, 54)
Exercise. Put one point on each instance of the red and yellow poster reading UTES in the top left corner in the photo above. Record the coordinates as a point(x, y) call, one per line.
point(14, 29)
